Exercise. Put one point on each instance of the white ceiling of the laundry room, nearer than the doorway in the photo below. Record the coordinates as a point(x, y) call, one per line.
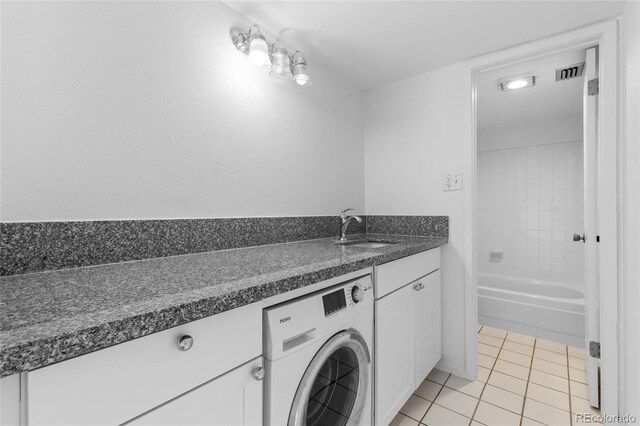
point(372, 43)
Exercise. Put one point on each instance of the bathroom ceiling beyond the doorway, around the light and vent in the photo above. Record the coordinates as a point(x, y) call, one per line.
point(547, 100)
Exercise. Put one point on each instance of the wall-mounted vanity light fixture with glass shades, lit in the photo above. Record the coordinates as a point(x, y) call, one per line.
point(283, 66)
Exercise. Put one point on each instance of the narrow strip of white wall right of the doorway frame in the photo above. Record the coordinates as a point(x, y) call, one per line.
point(629, 223)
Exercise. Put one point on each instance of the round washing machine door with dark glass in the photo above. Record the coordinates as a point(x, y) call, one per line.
point(335, 389)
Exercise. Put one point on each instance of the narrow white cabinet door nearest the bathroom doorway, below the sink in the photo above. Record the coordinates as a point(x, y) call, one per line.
point(428, 317)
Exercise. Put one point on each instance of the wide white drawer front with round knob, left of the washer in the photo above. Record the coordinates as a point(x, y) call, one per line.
point(113, 385)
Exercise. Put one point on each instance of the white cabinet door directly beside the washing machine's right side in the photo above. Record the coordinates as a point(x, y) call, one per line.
point(394, 353)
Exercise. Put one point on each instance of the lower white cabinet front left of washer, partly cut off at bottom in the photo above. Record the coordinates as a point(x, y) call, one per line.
point(233, 399)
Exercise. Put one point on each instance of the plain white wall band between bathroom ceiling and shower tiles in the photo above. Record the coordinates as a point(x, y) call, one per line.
point(556, 130)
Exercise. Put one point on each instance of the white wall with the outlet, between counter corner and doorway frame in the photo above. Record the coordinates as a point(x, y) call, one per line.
point(413, 136)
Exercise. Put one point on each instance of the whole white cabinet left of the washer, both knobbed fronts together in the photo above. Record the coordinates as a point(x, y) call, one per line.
point(152, 378)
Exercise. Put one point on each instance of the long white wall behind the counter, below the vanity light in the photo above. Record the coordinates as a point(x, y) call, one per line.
point(117, 110)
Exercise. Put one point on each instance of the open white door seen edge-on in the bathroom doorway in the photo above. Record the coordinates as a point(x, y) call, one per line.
point(592, 290)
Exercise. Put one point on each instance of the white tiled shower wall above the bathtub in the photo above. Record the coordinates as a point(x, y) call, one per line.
point(530, 203)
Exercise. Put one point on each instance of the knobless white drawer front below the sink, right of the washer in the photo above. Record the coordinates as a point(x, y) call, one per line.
point(393, 275)
